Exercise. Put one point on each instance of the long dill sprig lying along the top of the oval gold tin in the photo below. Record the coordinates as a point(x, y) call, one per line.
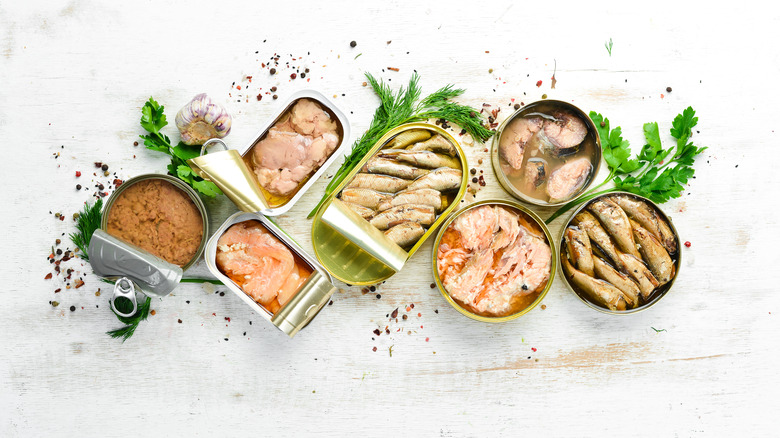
point(405, 106)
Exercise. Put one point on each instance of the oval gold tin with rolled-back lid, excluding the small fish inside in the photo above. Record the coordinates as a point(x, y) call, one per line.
point(349, 246)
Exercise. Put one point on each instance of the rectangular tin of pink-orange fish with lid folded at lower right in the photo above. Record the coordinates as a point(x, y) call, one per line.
point(269, 271)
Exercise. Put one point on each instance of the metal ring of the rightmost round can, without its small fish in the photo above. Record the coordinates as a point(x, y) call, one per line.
point(657, 295)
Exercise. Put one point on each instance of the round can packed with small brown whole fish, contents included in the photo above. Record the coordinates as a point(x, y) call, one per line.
point(619, 253)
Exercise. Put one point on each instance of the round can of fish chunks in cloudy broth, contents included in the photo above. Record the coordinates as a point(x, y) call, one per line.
point(525, 159)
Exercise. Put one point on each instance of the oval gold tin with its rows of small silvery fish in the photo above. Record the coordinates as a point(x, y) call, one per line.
point(354, 242)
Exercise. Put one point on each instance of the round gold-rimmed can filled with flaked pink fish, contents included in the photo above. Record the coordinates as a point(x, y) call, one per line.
point(494, 260)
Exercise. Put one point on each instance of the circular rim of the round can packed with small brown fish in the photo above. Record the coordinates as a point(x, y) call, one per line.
point(655, 300)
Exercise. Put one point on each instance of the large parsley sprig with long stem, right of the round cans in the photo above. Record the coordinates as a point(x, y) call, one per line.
point(656, 173)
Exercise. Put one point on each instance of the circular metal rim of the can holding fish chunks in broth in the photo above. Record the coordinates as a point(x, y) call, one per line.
point(503, 180)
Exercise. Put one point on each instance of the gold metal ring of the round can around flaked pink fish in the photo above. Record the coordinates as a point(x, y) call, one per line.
point(553, 260)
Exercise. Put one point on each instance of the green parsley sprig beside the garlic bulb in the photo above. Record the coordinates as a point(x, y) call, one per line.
point(153, 120)
